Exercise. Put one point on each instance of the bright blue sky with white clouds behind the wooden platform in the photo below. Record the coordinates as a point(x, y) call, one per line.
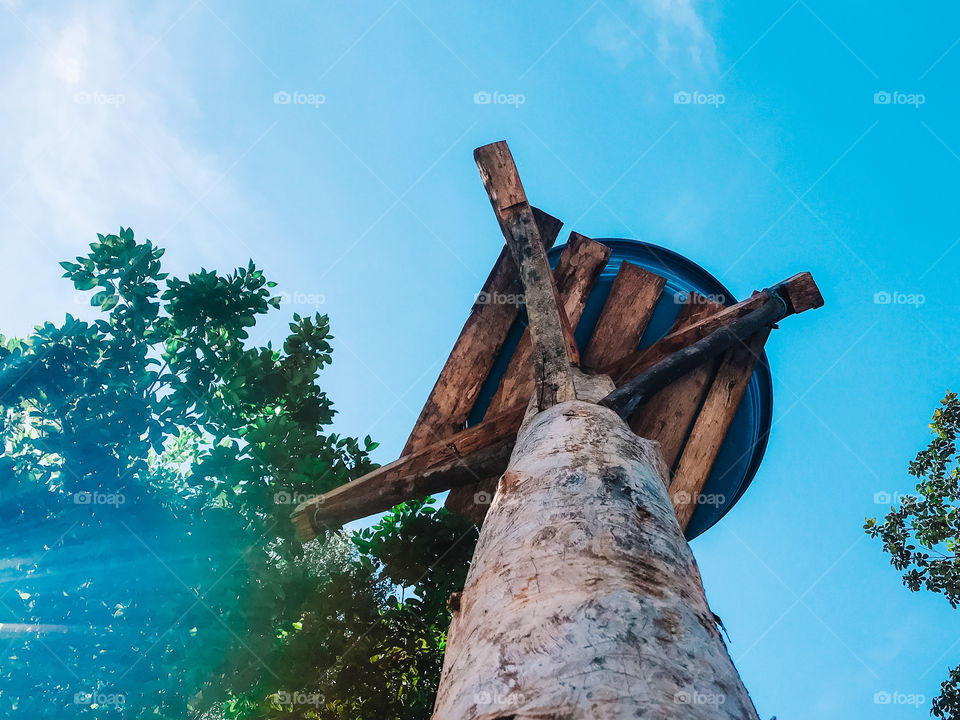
point(360, 197)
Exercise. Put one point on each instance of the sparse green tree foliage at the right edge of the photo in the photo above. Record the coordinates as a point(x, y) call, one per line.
point(922, 535)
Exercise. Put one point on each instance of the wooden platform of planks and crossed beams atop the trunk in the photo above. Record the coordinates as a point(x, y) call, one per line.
point(682, 391)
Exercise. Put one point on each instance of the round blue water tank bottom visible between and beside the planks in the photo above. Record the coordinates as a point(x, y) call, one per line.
point(746, 439)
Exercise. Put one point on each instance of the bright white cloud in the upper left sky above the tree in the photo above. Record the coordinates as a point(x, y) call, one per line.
point(96, 120)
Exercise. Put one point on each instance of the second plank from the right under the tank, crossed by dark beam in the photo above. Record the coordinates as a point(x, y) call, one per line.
point(666, 417)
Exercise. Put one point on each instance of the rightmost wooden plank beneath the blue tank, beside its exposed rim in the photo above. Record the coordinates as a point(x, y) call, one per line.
point(710, 428)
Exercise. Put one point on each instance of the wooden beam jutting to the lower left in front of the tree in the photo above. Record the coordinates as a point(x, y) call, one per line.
point(474, 453)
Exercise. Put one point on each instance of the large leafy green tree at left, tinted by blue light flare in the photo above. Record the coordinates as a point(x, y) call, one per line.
point(151, 459)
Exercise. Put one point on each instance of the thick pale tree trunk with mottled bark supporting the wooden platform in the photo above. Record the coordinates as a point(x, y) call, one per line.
point(583, 600)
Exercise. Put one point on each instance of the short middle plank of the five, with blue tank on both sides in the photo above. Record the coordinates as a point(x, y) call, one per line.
point(624, 317)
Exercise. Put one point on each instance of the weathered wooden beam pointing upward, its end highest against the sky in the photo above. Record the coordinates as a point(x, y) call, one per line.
point(554, 350)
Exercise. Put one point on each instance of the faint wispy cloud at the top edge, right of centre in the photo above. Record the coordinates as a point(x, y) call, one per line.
point(669, 33)
